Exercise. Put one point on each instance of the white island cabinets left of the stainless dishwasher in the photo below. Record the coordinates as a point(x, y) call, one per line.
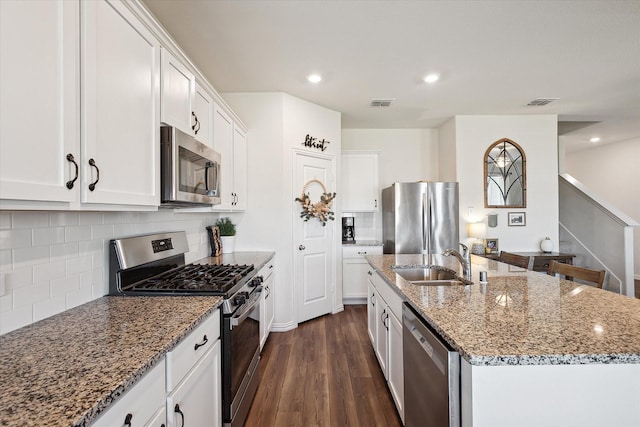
point(384, 318)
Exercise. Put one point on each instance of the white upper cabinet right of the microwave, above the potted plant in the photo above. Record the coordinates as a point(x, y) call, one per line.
point(231, 142)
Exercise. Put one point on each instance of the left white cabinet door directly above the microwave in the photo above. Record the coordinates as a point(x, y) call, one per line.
point(178, 92)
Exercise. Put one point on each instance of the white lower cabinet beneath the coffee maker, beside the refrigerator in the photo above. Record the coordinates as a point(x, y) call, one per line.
point(354, 272)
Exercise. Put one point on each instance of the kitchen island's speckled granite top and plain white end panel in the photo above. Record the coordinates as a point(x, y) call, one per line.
point(536, 350)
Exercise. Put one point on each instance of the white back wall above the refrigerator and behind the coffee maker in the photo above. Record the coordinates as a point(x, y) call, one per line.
point(405, 155)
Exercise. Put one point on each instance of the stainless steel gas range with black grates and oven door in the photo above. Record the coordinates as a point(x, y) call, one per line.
point(155, 265)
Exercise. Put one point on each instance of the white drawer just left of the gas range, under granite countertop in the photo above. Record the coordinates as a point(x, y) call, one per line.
point(186, 354)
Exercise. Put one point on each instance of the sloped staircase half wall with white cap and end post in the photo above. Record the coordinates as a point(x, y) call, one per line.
point(599, 234)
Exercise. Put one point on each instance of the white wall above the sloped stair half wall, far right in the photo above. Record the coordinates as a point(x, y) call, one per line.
point(613, 172)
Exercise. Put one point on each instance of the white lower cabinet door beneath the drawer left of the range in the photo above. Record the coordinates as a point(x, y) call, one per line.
point(197, 399)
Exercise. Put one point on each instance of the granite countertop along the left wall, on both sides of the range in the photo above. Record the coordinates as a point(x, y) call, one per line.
point(66, 369)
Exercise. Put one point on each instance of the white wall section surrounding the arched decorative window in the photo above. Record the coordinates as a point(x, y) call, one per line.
point(537, 135)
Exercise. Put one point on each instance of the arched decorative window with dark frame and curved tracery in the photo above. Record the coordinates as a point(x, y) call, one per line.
point(505, 175)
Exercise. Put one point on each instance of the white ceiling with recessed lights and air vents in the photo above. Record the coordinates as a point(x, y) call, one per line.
point(494, 57)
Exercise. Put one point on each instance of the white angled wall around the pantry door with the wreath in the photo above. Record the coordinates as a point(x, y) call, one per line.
point(277, 125)
